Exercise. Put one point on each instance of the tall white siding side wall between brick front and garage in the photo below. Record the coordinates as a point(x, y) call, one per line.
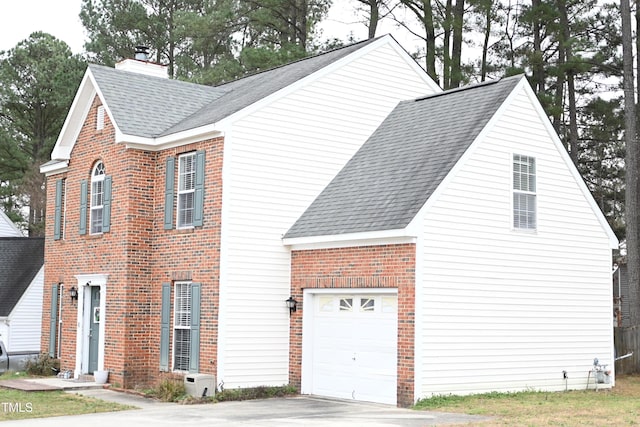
point(277, 160)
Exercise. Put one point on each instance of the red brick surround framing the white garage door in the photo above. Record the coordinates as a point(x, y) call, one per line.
point(370, 266)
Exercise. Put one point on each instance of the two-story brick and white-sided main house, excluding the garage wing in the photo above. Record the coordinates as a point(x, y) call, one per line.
point(168, 202)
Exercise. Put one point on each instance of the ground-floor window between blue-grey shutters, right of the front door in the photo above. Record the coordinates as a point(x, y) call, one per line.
point(181, 326)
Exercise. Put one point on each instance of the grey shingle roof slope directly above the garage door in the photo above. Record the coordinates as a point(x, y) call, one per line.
point(399, 167)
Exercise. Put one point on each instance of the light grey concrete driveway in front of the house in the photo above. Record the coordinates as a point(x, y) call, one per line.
point(294, 411)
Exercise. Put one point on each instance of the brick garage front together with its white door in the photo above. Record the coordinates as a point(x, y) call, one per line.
point(352, 337)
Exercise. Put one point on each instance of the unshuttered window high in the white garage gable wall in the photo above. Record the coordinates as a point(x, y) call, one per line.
point(524, 192)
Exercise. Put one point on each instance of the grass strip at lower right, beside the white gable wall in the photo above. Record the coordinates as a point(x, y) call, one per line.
point(619, 406)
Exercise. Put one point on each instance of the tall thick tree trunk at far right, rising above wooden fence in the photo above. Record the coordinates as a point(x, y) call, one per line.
point(631, 162)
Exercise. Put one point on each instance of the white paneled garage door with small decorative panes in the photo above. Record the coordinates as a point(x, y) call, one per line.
point(355, 347)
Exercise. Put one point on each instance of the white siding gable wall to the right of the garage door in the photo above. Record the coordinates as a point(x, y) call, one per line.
point(500, 310)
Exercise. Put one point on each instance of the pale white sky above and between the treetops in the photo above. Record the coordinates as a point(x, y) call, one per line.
point(19, 18)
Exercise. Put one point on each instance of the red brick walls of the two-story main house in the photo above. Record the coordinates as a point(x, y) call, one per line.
point(137, 253)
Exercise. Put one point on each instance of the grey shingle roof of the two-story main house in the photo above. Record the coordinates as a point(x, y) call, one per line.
point(150, 106)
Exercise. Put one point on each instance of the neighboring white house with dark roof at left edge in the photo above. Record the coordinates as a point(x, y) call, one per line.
point(21, 287)
